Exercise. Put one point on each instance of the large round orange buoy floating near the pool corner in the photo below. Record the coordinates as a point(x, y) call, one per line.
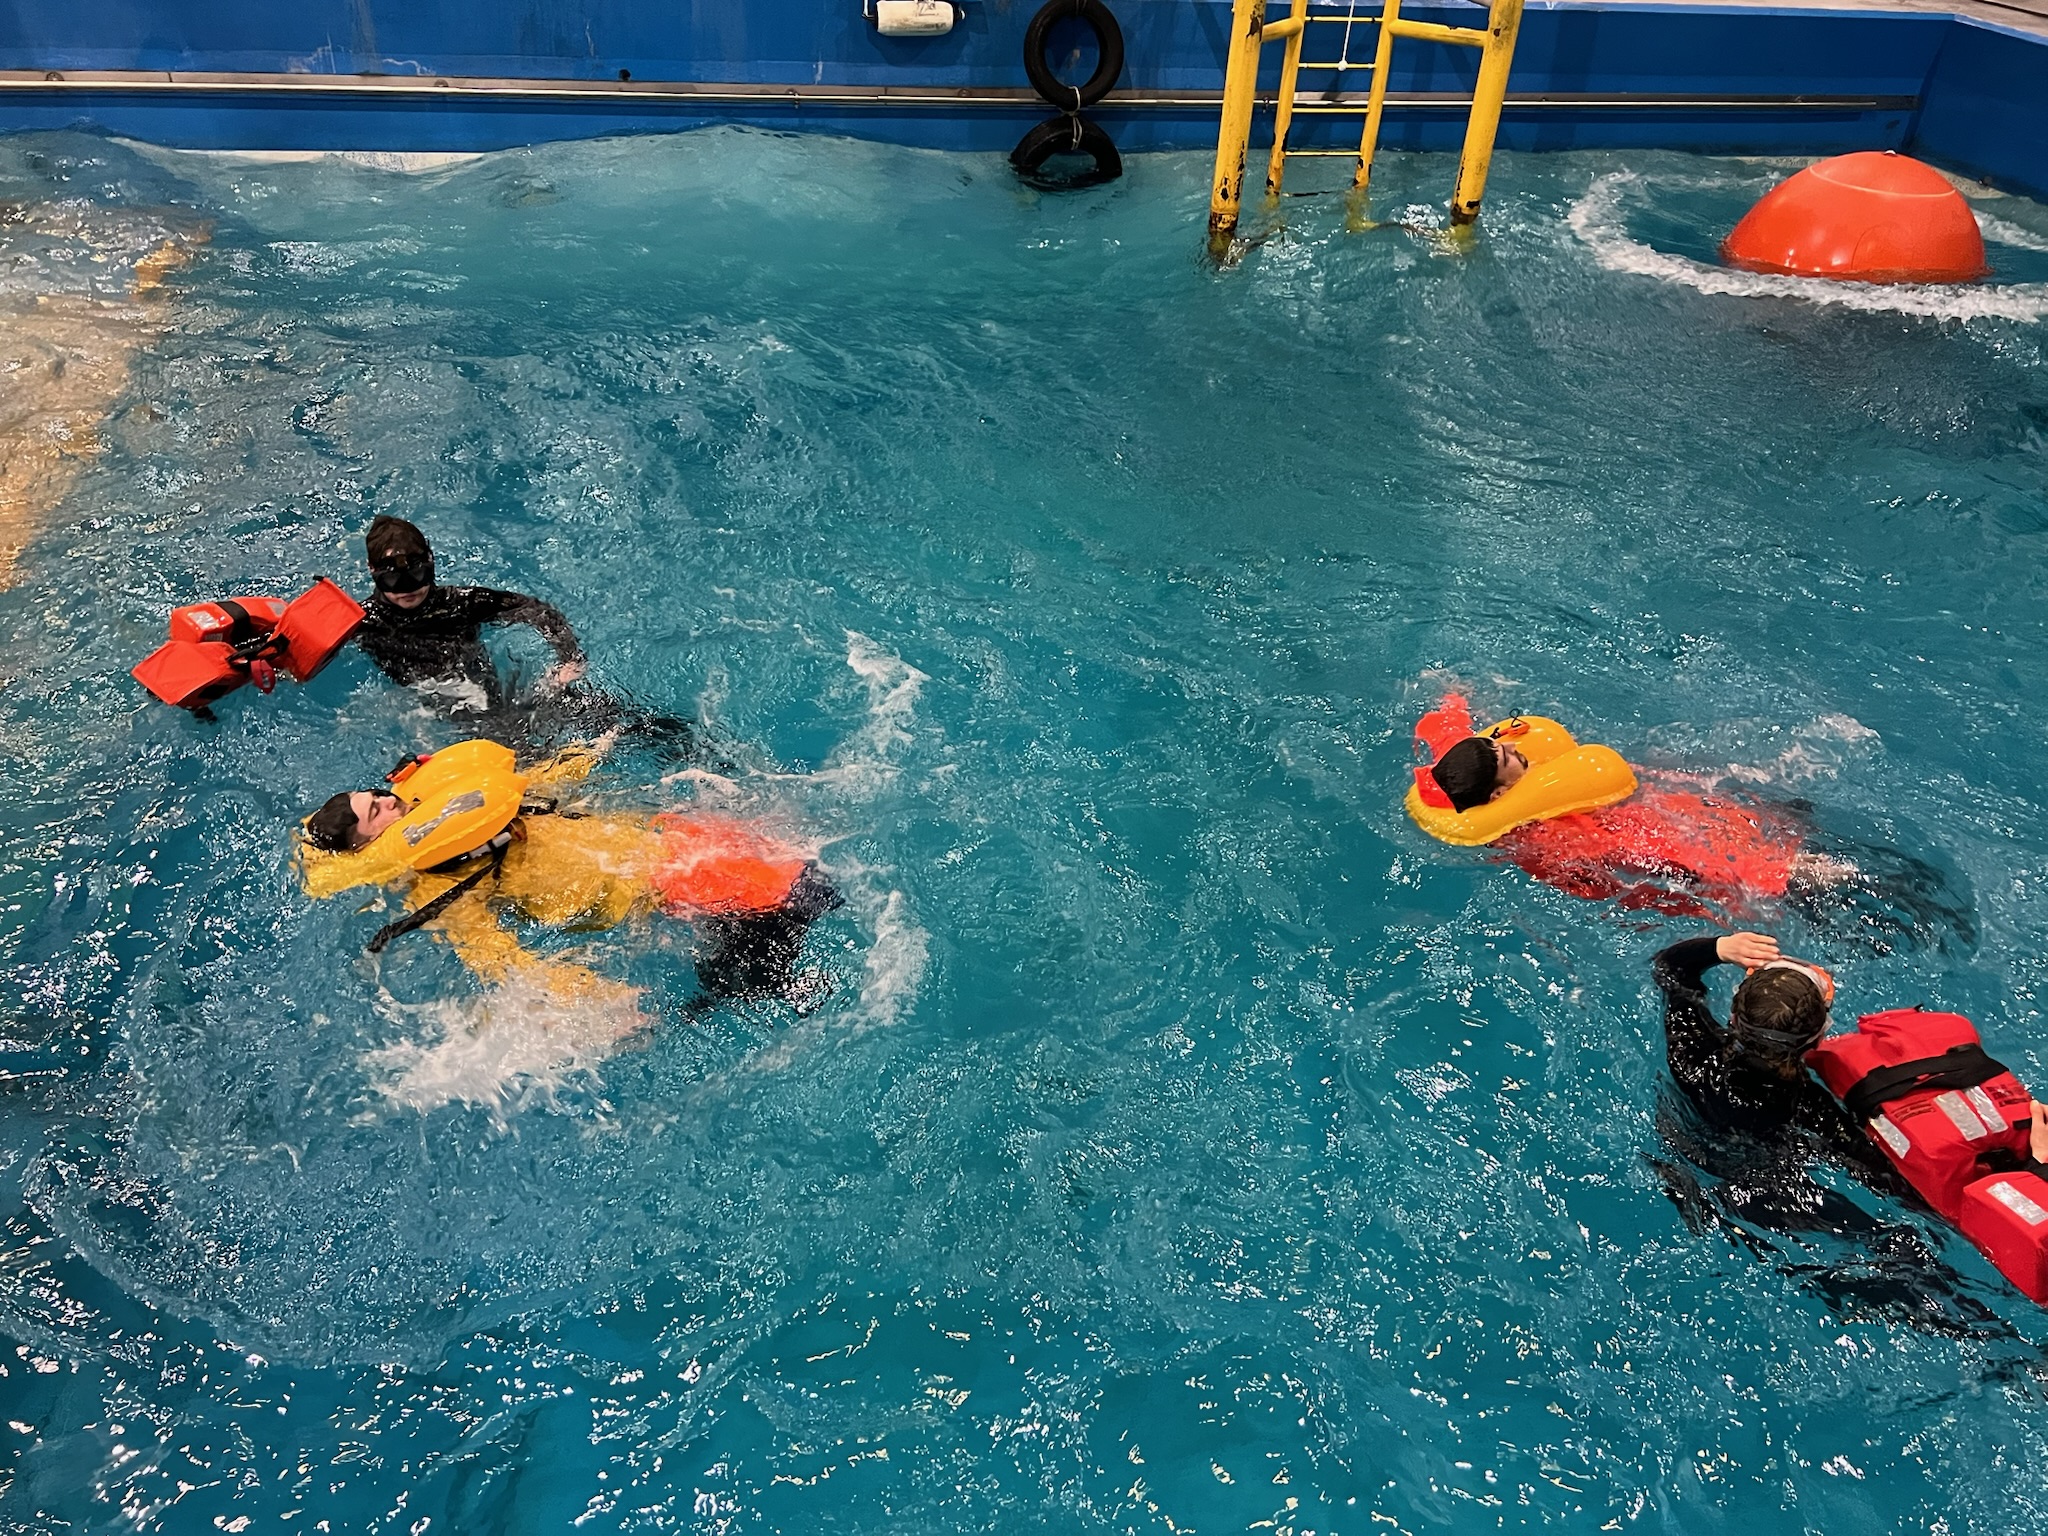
point(1865, 218)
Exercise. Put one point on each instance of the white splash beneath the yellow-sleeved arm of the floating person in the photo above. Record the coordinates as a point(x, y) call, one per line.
point(505, 1050)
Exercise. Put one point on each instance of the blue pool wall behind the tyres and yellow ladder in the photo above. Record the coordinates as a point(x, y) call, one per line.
point(376, 75)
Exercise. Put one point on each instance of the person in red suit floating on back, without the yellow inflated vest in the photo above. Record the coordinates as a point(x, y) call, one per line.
point(1693, 855)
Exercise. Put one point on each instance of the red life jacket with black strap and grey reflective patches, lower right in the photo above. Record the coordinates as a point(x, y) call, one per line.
point(1955, 1123)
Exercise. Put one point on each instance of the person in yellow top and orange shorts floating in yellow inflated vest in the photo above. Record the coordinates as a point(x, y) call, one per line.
point(470, 837)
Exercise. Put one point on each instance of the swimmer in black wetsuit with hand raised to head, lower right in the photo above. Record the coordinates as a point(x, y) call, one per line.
point(1752, 1121)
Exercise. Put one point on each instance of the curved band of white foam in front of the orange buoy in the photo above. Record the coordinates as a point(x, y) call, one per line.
point(1598, 222)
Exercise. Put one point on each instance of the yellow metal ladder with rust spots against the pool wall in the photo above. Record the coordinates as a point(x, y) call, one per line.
point(1250, 32)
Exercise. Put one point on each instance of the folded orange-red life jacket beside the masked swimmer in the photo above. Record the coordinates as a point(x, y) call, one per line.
point(214, 648)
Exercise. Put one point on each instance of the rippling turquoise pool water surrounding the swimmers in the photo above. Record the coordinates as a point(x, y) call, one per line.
point(1185, 1144)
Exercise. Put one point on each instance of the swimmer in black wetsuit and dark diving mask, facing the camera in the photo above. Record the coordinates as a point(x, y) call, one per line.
point(431, 638)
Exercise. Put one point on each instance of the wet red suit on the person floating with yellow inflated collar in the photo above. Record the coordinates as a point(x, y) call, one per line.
point(1664, 849)
